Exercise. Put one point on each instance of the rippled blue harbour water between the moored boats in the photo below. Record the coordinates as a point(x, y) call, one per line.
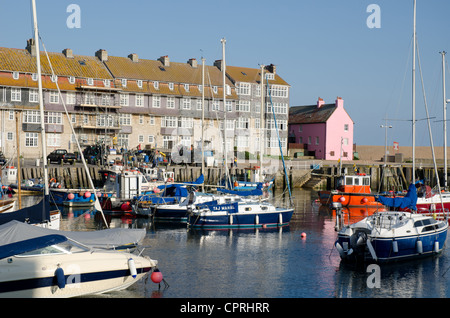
point(271, 263)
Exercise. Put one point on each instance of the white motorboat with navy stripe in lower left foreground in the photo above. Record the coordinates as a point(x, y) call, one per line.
point(46, 264)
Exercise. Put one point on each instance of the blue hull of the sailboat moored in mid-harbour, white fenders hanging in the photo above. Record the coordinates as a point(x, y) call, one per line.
point(241, 220)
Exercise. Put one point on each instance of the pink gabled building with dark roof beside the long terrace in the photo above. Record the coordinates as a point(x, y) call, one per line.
point(325, 130)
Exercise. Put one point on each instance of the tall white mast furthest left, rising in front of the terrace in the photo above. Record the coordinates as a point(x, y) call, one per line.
point(41, 98)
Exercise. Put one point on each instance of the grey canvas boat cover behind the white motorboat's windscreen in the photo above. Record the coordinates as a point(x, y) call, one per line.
point(15, 231)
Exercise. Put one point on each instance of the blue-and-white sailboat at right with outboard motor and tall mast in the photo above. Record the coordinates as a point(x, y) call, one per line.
point(388, 236)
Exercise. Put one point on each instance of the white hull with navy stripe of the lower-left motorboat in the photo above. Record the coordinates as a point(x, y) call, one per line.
point(35, 276)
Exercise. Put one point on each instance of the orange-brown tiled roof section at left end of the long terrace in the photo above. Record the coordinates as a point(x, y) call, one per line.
point(80, 66)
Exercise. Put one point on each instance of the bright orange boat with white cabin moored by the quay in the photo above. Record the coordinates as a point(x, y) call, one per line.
point(351, 191)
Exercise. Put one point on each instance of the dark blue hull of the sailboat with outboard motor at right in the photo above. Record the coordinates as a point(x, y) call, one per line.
point(408, 247)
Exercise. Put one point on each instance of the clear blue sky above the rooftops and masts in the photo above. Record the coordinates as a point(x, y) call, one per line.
point(322, 48)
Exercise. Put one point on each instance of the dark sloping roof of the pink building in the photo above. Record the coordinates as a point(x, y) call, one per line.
point(310, 114)
